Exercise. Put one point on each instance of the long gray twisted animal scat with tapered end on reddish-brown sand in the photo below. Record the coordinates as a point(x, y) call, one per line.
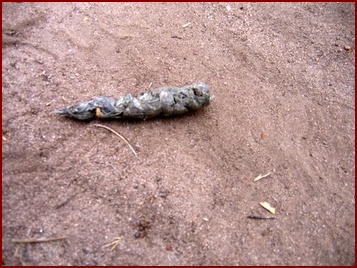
point(164, 101)
